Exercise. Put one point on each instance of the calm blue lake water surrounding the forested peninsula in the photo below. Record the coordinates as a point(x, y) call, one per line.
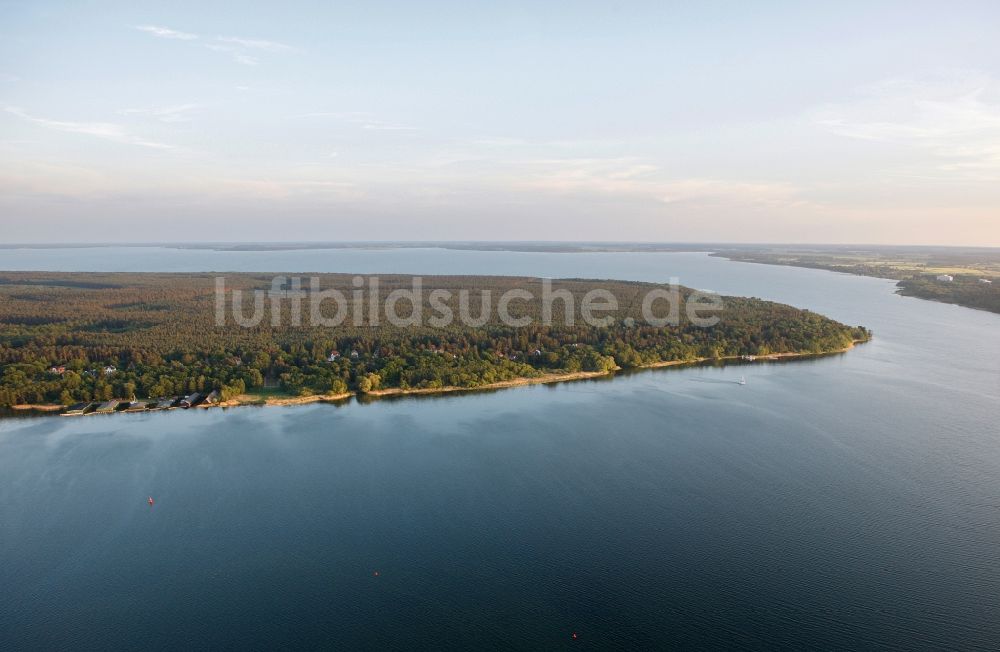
point(850, 502)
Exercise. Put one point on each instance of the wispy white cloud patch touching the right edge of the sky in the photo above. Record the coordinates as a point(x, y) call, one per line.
point(951, 119)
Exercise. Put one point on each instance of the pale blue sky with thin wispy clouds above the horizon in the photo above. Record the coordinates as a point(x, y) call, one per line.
point(833, 122)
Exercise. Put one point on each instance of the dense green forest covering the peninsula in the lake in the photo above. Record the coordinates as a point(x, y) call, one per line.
point(76, 337)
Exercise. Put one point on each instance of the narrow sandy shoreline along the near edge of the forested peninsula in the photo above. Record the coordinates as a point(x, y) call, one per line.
point(544, 379)
